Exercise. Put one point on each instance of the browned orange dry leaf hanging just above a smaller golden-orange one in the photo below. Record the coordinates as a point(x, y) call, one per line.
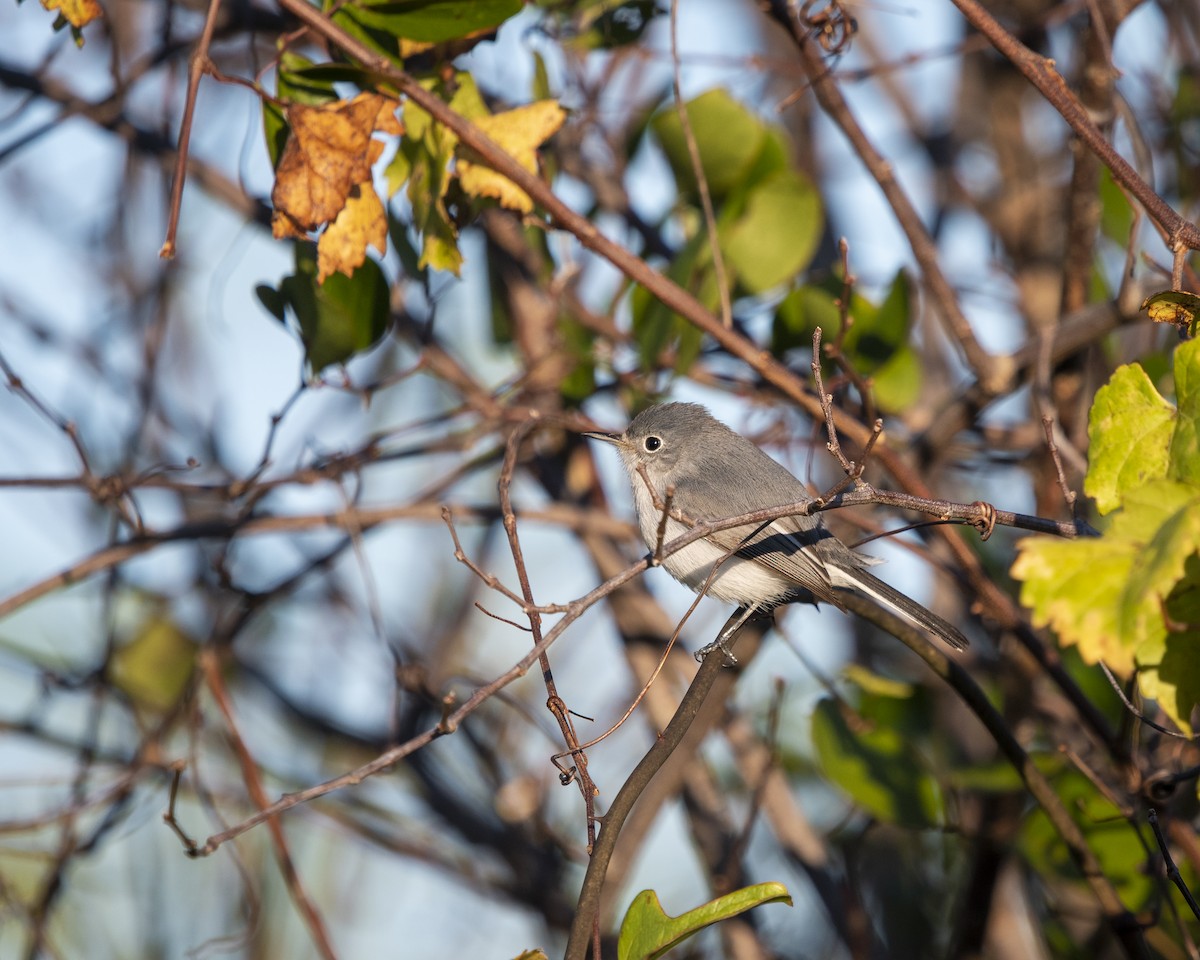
point(328, 153)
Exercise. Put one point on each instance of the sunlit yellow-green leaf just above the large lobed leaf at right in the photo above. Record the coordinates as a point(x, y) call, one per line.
point(1130, 433)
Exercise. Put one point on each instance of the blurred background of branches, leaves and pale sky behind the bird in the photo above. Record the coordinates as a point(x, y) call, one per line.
point(227, 568)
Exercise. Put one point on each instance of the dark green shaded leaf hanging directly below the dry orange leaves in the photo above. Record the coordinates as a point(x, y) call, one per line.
point(339, 319)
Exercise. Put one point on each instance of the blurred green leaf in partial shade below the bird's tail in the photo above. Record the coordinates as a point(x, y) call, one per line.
point(877, 767)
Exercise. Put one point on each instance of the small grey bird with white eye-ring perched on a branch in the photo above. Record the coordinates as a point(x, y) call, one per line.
point(717, 475)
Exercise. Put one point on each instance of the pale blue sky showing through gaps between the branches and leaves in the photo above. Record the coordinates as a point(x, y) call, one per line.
point(233, 367)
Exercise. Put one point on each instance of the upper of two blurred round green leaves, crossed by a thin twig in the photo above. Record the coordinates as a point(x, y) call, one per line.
point(729, 139)
